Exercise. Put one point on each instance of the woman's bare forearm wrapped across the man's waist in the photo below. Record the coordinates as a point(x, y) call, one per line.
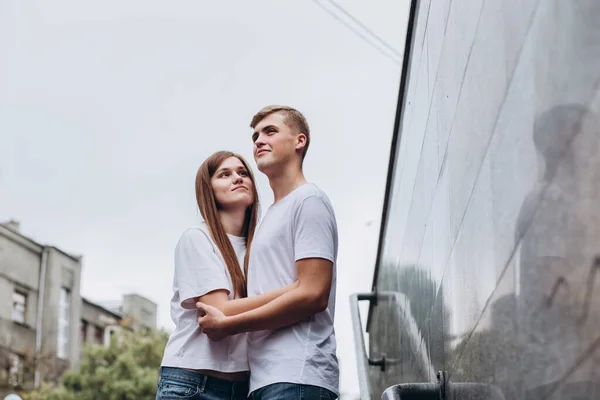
point(219, 299)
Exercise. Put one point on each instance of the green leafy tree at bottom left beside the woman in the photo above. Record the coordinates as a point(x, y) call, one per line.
point(126, 370)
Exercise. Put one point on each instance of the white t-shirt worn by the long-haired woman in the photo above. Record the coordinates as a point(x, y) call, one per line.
point(200, 269)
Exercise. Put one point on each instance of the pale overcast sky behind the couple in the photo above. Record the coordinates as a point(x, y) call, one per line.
point(107, 109)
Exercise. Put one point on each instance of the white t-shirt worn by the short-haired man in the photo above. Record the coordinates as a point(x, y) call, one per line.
point(301, 225)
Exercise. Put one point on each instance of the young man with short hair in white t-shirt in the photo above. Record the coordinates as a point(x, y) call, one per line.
point(291, 344)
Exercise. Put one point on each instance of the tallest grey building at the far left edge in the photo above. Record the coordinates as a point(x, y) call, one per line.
point(40, 307)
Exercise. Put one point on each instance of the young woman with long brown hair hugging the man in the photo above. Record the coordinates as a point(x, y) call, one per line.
point(211, 265)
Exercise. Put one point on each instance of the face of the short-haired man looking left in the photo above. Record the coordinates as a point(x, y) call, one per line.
point(275, 143)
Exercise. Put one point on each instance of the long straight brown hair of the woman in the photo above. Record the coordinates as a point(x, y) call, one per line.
point(207, 203)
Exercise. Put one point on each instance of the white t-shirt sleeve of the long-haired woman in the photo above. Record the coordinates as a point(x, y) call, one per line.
point(198, 269)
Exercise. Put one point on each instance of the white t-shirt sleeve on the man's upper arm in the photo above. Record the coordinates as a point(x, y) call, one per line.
point(315, 230)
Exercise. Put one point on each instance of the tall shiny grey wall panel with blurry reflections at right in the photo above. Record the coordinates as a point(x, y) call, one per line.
point(494, 226)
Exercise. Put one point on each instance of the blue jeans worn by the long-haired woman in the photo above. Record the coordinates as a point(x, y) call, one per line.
point(183, 384)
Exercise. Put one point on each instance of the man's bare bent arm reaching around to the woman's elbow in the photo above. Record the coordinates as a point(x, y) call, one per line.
point(308, 298)
